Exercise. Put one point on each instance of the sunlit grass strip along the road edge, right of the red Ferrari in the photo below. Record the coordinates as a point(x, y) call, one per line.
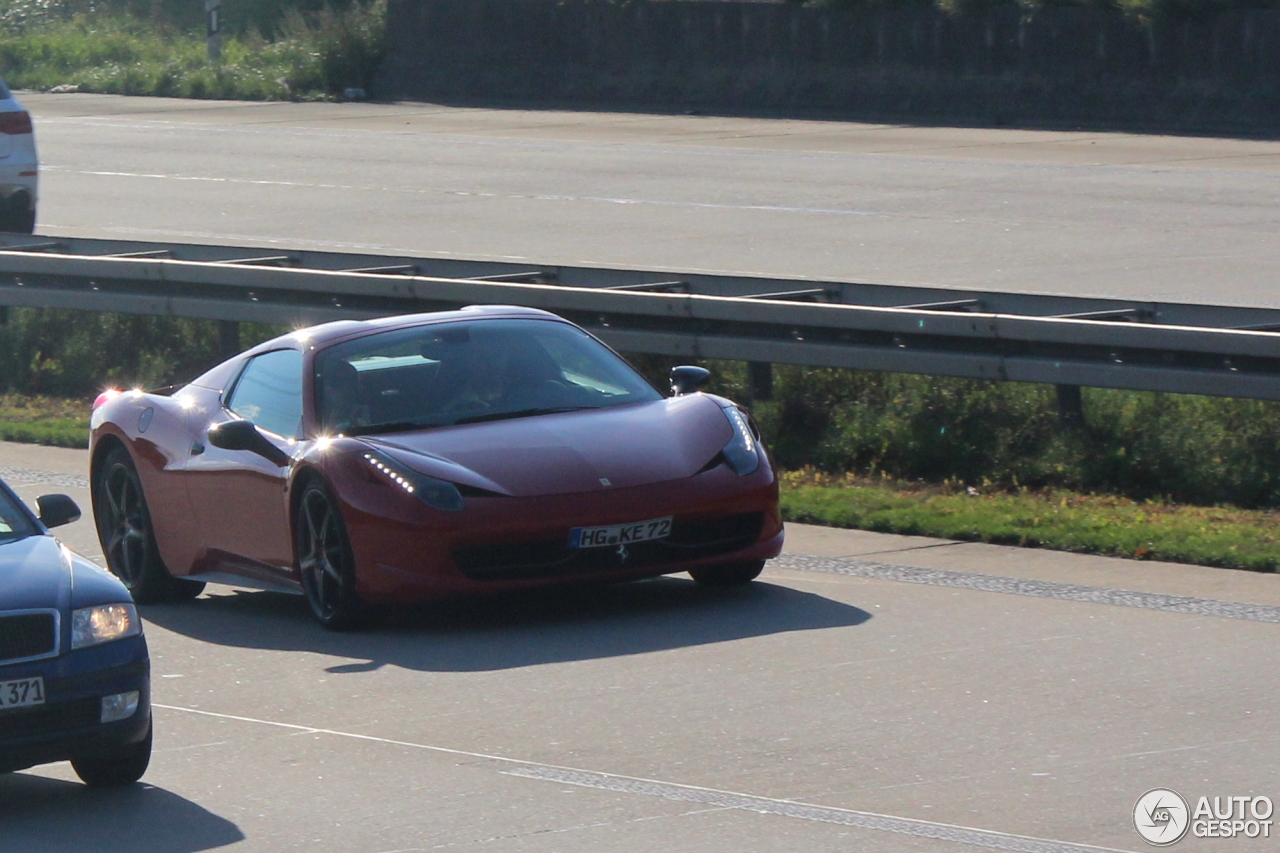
point(1058, 521)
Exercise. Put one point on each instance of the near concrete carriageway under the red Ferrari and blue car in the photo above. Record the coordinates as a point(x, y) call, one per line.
point(868, 694)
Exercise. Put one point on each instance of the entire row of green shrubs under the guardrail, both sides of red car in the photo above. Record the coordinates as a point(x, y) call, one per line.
point(927, 430)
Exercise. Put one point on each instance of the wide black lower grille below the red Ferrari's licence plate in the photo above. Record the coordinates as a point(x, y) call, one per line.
point(537, 559)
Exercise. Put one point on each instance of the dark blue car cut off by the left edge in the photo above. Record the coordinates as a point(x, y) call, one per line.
point(75, 674)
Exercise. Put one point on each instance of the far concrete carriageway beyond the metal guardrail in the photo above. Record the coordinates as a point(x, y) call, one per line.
point(1082, 213)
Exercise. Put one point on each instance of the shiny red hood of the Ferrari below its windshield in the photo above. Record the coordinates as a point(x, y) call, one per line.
point(582, 451)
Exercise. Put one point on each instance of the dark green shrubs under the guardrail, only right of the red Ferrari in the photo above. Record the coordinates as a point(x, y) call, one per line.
point(939, 430)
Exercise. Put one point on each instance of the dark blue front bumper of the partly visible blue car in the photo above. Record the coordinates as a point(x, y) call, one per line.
point(70, 723)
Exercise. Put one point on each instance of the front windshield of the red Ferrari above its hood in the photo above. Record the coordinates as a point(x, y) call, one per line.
point(454, 373)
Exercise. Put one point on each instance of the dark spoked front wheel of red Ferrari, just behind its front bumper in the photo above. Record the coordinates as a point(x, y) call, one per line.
point(326, 563)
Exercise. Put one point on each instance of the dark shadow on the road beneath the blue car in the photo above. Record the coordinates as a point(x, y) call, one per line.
point(40, 815)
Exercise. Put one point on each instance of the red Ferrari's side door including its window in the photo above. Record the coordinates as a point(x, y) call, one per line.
point(239, 496)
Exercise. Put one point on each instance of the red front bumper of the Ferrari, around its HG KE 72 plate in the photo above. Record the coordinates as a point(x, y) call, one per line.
point(406, 553)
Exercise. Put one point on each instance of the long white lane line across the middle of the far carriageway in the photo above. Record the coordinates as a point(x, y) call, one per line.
point(467, 194)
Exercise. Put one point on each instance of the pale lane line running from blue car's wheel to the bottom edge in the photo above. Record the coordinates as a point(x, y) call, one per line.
point(711, 796)
